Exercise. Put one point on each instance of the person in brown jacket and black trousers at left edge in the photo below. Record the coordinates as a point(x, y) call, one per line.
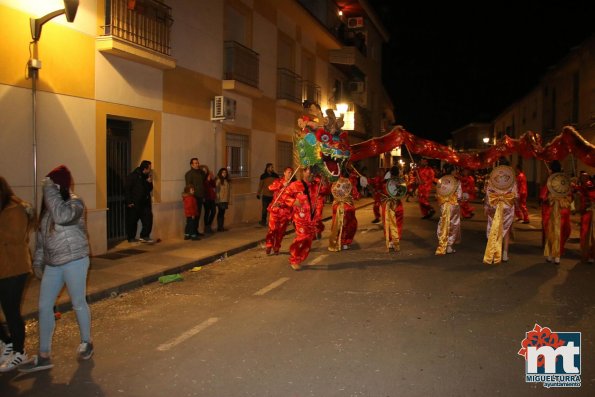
point(16, 220)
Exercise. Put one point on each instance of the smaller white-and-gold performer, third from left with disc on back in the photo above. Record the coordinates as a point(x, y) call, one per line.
point(448, 193)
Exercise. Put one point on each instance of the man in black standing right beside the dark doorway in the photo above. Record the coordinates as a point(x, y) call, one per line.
point(139, 185)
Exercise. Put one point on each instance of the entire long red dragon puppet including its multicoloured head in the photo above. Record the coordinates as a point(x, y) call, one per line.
point(322, 145)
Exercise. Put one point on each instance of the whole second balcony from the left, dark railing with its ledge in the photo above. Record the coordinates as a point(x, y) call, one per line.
point(240, 69)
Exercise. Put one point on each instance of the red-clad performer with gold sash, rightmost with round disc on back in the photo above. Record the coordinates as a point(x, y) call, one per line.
point(556, 197)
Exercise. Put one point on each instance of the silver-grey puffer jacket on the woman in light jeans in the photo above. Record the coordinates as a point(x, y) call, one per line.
point(62, 235)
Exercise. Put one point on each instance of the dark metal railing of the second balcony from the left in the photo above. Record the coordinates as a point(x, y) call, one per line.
point(240, 63)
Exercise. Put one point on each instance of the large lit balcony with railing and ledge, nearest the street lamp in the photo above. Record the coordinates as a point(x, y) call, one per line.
point(139, 30)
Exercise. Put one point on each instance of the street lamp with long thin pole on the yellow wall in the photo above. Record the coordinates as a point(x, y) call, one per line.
point(34, 64)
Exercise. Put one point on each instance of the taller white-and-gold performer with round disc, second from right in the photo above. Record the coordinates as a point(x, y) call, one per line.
point(501, 196)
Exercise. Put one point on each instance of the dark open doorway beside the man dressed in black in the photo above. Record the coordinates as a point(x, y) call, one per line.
point(118, 166)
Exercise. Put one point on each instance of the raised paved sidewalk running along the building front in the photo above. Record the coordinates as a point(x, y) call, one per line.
point(132, 265)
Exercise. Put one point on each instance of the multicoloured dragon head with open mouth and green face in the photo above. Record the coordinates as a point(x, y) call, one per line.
point(321, 144)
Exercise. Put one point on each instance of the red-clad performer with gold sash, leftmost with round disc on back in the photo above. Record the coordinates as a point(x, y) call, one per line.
point(344, 223)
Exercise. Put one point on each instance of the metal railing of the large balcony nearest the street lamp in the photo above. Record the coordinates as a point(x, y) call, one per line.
point(146, 23)
